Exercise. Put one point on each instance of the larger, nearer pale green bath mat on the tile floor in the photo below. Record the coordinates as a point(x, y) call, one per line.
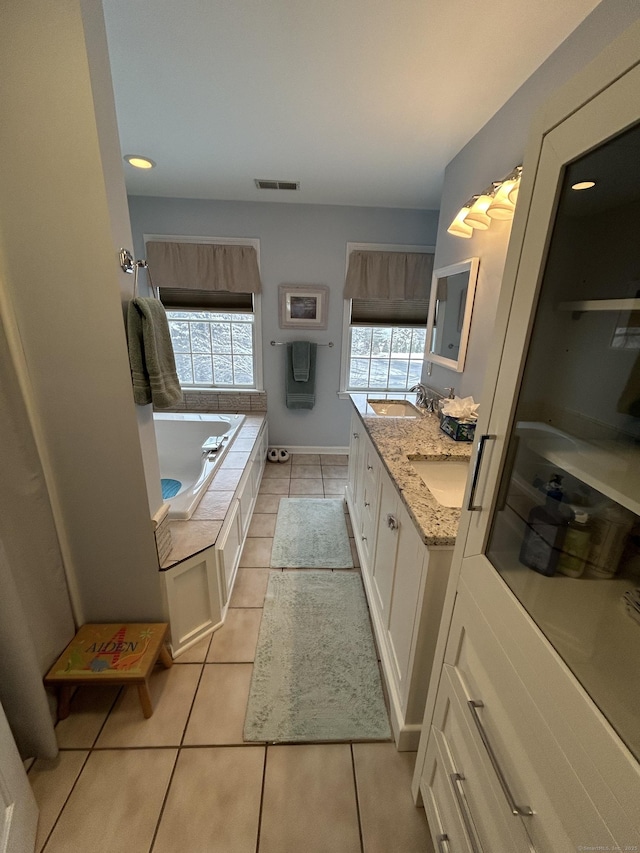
point(315, 675)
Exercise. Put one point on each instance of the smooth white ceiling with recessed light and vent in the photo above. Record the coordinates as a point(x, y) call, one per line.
point(362, 101)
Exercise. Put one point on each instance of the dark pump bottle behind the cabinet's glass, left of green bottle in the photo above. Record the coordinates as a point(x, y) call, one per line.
point(544, 533)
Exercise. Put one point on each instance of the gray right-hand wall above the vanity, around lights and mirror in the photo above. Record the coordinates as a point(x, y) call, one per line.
point(490, 155)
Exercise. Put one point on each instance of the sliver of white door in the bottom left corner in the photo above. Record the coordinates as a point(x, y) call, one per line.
point(18, 809)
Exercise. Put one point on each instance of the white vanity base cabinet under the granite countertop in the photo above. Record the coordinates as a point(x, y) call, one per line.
point(404, 582)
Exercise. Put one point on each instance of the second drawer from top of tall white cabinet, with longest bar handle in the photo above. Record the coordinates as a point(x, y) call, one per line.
point(495, 826)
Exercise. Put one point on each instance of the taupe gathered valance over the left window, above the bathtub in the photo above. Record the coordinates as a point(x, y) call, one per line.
point(203, 266)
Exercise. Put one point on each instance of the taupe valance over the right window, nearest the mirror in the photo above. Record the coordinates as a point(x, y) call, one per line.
point(388, 275)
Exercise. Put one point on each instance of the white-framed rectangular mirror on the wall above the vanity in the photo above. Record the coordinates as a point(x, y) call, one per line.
point(450, 307)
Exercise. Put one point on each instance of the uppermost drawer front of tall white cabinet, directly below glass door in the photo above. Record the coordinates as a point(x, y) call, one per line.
point(534, 767)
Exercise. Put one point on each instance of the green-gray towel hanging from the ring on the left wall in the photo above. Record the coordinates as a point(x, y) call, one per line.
point(153, 366)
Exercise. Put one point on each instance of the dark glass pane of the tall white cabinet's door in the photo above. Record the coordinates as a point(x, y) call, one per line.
point(565, 531)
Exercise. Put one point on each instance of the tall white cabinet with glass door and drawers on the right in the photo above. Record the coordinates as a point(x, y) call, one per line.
point(531, 735)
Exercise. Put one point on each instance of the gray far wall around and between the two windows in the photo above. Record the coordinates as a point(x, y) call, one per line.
point(299, 244)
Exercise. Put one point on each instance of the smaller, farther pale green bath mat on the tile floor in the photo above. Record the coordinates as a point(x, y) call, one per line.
point(311, 533)
